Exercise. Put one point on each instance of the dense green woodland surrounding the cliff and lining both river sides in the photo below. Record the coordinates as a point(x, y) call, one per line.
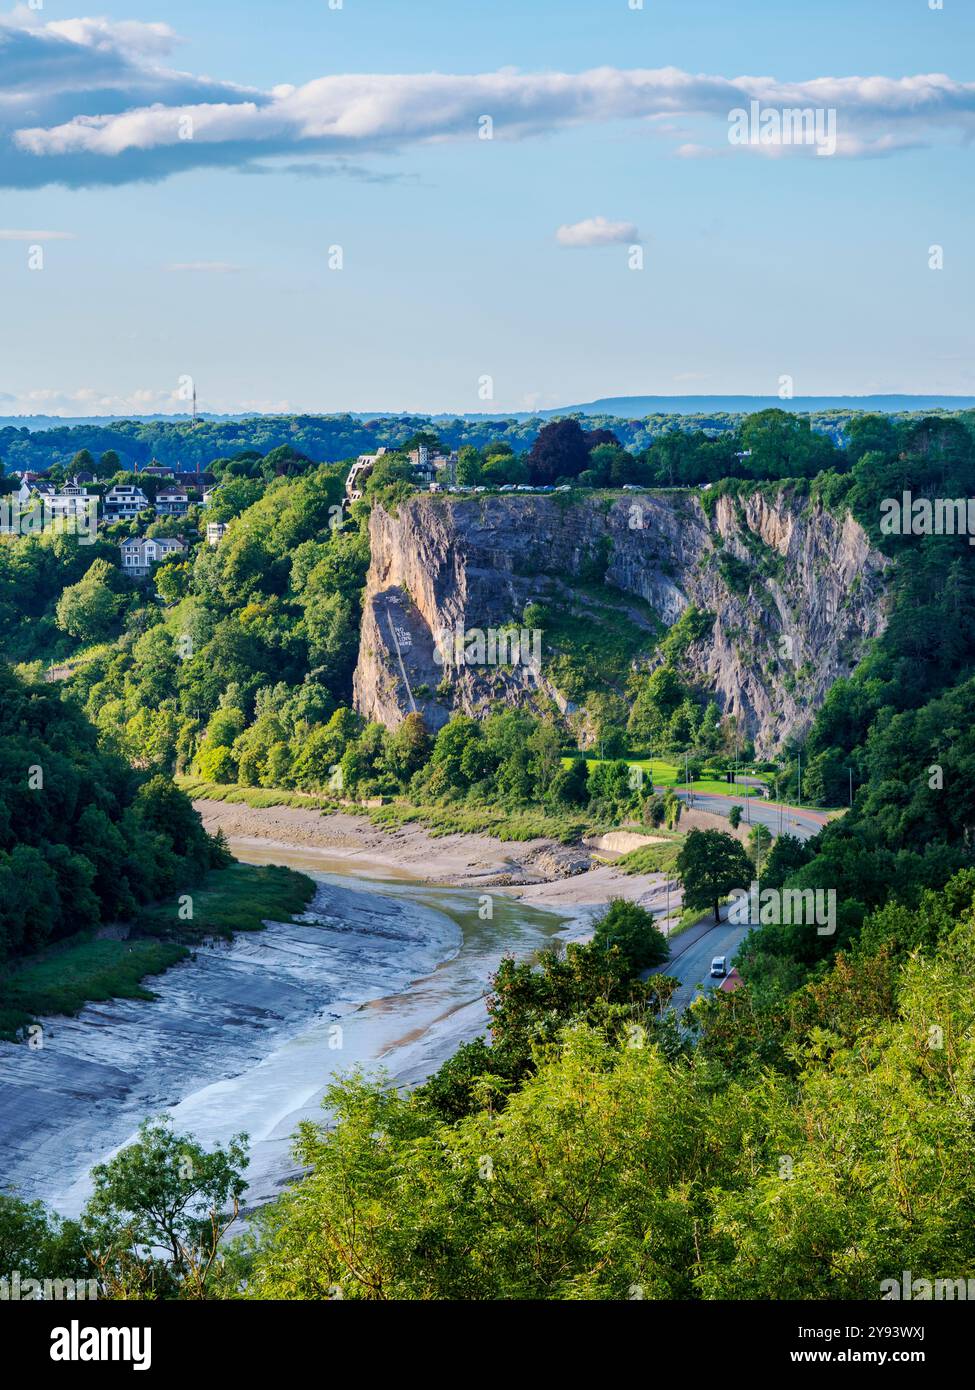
point(803, 1138)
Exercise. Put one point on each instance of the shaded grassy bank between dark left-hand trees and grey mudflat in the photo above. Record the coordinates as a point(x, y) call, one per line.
point(86, 970)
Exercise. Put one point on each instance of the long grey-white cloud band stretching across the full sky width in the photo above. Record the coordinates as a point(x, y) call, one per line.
point(88, 102)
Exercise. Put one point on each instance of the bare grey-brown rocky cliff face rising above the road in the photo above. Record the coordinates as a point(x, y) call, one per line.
point(795, 593)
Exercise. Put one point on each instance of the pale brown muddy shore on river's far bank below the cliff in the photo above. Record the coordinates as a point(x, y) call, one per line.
point(540, 872)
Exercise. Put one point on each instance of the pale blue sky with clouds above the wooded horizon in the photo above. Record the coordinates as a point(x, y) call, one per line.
point(208, 258)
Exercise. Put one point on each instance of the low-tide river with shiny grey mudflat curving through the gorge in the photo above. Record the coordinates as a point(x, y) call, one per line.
point(382, 972)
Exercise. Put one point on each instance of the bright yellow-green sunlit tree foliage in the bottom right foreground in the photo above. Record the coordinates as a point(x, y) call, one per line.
point(614, 1172)
